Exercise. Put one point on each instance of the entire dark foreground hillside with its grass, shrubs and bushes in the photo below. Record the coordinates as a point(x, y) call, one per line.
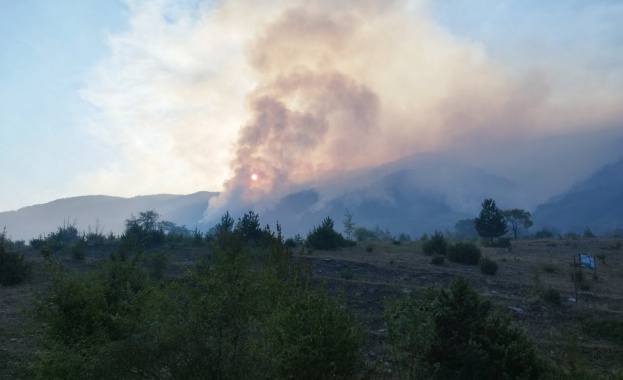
point(160, 302)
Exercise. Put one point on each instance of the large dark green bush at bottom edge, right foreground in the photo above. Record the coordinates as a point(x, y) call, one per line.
point(454, 334)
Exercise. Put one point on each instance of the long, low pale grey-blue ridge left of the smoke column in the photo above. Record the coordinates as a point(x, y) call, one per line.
point(103, 212)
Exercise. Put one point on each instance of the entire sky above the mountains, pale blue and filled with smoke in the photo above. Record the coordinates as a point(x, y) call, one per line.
point(142, 97)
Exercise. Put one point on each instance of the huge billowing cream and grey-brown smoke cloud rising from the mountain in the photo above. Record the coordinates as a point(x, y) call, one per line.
point(296, 92)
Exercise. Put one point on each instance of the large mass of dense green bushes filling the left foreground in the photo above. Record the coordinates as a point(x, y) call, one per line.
point(221, 320)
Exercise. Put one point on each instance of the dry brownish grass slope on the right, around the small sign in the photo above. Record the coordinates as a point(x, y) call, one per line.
point(532, 267)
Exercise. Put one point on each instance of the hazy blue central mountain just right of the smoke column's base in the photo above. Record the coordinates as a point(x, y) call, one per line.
point(414, 195)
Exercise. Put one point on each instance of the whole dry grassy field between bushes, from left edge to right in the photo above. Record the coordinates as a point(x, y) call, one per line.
point(534, 283)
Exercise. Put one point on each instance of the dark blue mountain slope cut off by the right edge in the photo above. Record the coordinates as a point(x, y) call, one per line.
point(596, 203)
